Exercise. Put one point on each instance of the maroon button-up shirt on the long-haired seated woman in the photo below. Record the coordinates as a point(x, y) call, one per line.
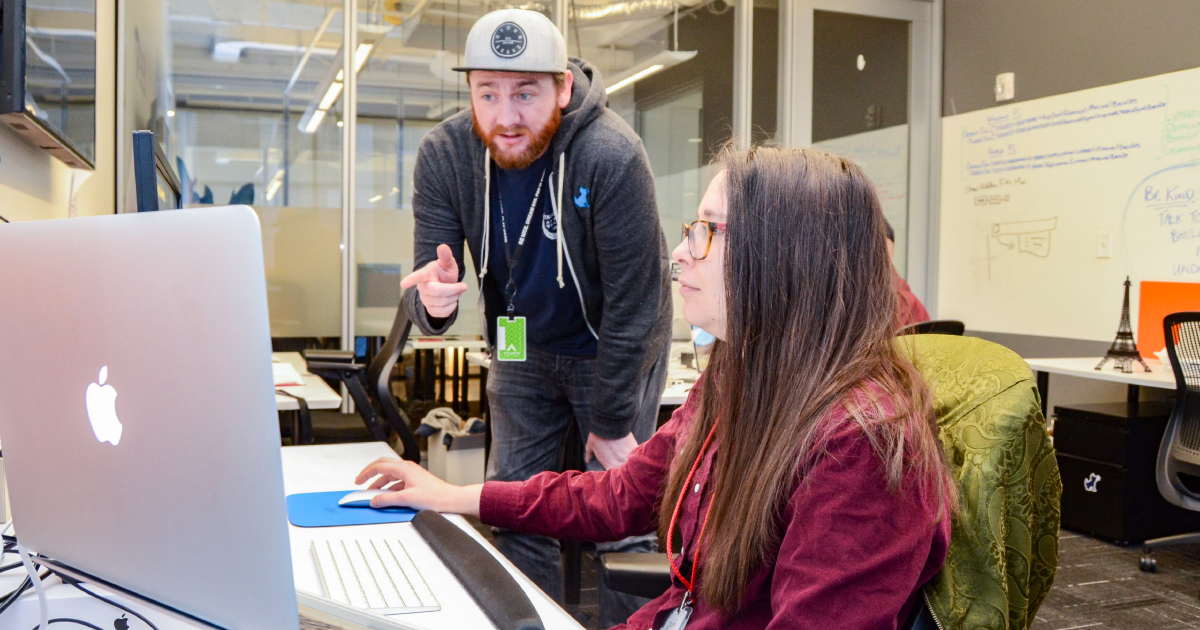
point(853, 556)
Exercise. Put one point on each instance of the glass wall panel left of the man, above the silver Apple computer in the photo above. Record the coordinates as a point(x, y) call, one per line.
point(239, 130)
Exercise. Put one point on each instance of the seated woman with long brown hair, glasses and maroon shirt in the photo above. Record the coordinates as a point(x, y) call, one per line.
point(802, 485)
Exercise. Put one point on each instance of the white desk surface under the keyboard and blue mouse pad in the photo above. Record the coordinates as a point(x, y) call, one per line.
point(325, 469)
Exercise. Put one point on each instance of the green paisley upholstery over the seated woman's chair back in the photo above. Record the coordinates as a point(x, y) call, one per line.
point(1005, 541)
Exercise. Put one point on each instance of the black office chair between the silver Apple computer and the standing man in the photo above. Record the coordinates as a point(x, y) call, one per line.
point(370, 387)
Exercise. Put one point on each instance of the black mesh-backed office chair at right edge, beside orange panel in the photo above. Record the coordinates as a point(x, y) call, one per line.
point(1179, 454)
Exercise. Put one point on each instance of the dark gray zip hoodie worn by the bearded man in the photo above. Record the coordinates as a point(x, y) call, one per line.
point(610, 241)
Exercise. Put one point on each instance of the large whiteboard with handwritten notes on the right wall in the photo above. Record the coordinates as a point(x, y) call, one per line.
point(1030, 189)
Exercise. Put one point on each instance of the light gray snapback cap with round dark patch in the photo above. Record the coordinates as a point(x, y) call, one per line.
point(515, 40)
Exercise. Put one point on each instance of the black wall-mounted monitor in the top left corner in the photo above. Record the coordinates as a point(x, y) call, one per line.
point(49, 76)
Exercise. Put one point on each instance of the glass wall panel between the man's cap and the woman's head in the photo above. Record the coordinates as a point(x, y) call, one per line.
point(669, 68)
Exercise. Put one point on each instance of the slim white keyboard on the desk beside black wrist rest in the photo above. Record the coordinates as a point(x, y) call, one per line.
point(373, 574)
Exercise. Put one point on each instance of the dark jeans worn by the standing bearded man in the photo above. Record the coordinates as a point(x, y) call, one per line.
point(532, 404)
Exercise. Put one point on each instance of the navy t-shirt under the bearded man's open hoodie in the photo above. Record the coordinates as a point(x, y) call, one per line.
point(554, 316)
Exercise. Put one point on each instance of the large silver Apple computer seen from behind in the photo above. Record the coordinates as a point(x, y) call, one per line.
point(137, 407)
